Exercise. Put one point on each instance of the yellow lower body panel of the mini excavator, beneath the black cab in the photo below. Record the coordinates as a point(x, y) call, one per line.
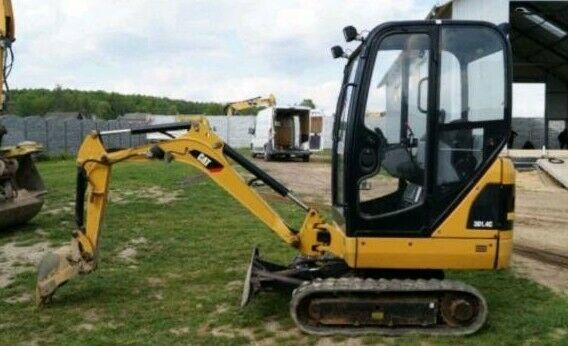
point(452, 245)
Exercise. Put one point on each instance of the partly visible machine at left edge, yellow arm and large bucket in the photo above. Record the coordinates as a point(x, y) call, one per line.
point(21, 186)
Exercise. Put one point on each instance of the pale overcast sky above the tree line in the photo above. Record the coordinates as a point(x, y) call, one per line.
point(196, 50)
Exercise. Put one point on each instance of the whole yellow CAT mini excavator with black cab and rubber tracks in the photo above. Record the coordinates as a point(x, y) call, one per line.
point(416, 191)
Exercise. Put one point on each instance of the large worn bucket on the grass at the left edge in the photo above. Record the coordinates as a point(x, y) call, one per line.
point(21, 186)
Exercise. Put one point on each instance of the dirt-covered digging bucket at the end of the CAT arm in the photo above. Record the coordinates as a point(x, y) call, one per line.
point(58, 267)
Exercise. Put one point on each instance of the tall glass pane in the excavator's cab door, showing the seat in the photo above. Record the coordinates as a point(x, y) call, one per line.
point(396, 112)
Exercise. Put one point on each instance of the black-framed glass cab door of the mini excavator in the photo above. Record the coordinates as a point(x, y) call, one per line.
point(388, 163)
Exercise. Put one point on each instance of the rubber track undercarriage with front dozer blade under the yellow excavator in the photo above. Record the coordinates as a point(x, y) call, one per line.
point(329, 298)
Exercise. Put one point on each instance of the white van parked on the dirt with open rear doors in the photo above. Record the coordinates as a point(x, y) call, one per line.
point(282, 132)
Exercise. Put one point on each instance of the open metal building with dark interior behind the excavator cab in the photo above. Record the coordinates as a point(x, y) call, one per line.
point(539, 38)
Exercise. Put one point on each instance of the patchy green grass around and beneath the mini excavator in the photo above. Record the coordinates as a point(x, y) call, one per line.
point(184, 286)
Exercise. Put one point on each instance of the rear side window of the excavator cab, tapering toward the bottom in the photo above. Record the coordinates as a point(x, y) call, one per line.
point(472, 103)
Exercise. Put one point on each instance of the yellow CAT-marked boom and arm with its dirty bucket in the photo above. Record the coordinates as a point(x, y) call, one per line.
point(200, 148)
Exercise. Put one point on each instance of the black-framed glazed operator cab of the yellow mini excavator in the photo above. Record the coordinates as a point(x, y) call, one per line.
point(424, 110)
